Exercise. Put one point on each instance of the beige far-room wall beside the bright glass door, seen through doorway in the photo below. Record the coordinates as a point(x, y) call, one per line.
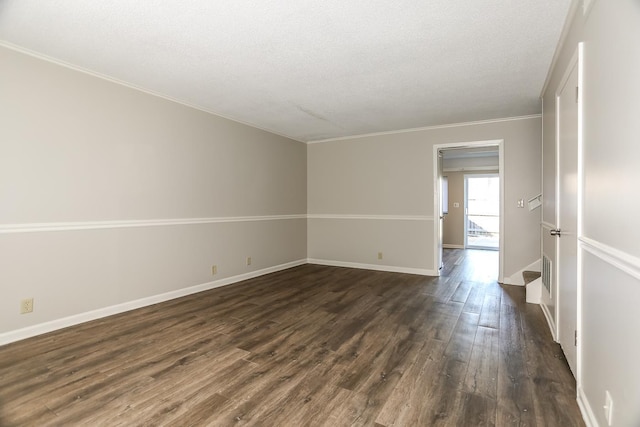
point(453, 227)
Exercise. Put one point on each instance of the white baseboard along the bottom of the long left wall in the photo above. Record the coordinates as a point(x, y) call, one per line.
point(43, 328)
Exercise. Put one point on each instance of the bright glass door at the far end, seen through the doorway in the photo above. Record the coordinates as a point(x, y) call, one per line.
point(482, 211)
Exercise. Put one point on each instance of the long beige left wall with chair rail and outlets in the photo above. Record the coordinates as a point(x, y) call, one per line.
point(110, 160)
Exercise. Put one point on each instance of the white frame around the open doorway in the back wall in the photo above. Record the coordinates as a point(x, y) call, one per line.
point(437, 209)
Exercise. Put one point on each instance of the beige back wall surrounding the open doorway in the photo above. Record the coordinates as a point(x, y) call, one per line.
point(390, 177)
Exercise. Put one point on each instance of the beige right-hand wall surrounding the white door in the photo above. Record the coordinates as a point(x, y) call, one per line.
point(609, 273)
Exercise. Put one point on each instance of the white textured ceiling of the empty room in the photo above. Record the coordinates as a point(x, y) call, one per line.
point(309, 70)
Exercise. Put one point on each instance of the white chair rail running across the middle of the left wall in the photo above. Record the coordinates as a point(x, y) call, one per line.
point(95, 225)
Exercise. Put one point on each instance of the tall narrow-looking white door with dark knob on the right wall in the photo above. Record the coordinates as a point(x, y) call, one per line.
point(567, 216)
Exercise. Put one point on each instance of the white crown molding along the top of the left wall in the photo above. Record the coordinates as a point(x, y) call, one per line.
point(135, 87)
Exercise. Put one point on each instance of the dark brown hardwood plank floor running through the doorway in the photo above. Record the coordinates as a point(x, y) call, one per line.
point(312, 345)
